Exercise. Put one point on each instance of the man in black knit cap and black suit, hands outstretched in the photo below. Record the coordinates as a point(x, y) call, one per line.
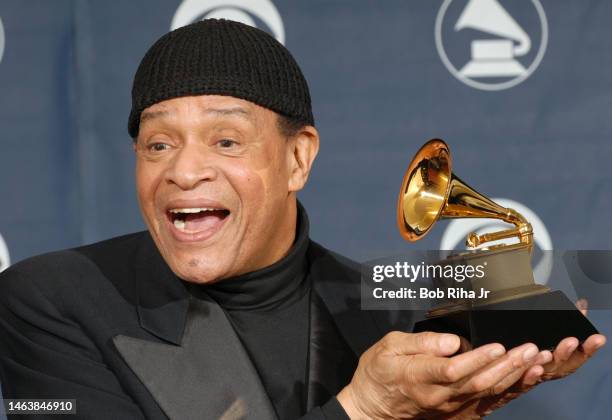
point(224, 308)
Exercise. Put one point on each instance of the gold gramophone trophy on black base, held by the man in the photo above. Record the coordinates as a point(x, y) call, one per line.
point(517, 310)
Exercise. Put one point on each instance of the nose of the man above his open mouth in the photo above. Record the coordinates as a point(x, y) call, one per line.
point(190, 166)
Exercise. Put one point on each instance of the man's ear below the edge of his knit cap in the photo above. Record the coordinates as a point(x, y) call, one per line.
point(302, 151)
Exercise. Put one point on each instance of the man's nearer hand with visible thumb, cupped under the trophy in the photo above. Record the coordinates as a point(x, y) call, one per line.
point(410, 375)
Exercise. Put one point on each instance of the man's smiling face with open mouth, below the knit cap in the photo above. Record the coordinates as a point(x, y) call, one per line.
point(216, 182)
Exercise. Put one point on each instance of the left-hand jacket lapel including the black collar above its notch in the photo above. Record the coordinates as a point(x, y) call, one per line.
point(198, 369)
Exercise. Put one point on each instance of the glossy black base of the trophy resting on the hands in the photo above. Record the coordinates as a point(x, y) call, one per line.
point(512, 323)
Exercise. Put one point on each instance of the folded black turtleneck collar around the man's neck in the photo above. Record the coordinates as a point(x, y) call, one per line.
point(272, 287)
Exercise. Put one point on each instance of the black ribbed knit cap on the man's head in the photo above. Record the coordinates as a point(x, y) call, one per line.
point(221, 57)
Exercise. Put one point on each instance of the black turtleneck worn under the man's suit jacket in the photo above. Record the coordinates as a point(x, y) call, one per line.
point(269, 310)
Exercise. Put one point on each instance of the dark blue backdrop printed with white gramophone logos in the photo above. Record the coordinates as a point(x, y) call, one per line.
point(520, 89)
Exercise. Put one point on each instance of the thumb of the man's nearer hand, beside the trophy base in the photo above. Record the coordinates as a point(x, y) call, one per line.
point(434, 344)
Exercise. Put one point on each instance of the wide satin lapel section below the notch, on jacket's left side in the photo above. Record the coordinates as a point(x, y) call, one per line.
point(209, 376)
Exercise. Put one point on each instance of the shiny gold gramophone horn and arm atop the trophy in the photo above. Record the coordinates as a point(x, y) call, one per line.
point(430, 191)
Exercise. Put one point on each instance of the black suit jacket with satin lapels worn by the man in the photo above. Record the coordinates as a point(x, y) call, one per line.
point(110, 325)
